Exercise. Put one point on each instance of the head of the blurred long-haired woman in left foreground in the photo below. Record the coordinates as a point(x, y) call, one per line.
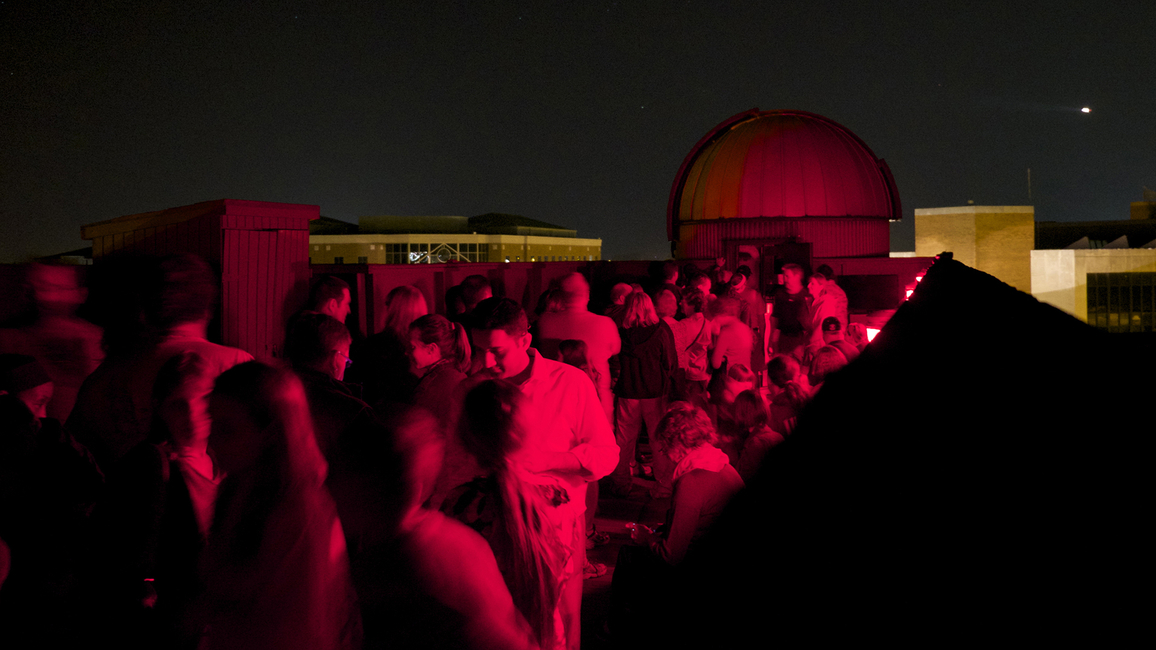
point(262, 424)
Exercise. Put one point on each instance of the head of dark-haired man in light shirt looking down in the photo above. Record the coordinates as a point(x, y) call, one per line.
point(500, 333)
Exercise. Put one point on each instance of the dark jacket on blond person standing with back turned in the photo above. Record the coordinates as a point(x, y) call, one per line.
point(649, 360)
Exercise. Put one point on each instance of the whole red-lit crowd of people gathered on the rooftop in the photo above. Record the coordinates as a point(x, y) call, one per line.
point(433, 485)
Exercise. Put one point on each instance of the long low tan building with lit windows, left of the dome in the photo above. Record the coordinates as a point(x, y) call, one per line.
point(438, 240)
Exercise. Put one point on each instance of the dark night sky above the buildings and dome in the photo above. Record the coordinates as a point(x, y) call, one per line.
point(577, 114)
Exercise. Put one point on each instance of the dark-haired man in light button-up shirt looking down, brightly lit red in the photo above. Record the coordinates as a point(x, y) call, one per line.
point(569, 435)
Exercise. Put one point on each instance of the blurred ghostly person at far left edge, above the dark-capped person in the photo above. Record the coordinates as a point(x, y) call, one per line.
point(68, 346)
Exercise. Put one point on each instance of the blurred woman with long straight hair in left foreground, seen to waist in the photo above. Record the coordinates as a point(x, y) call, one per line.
point(277, 573)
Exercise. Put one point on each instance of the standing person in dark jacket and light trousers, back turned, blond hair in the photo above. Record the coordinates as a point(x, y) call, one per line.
point(649, 361)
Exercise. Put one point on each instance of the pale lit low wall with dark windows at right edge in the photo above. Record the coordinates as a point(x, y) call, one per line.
point(1061, 277)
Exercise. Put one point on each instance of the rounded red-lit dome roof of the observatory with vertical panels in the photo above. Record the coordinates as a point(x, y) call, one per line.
point(781, 164)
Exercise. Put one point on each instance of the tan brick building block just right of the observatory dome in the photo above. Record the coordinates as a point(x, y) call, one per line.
point(996, 240)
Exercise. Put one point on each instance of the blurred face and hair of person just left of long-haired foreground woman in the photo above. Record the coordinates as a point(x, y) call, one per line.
point(179, 402)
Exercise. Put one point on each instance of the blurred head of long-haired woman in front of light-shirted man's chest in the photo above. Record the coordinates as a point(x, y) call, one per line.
point(492, 426)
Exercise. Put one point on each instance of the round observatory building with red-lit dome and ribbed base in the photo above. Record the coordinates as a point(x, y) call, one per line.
point(769, 188)
